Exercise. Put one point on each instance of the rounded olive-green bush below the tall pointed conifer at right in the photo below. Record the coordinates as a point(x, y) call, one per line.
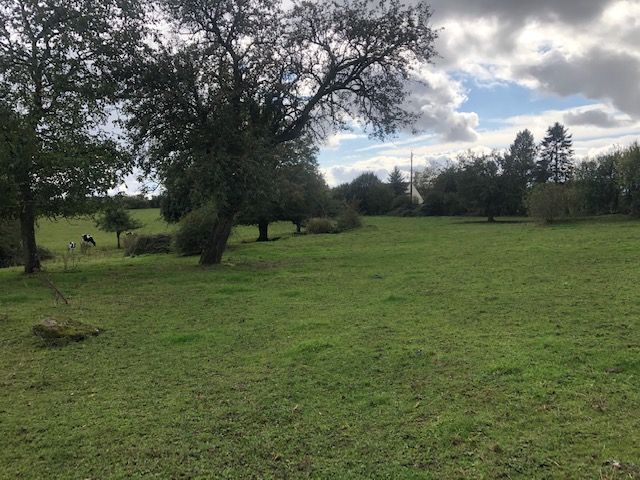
point(550, 202)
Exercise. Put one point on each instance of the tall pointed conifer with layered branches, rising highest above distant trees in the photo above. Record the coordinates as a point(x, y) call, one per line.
point(556, 156)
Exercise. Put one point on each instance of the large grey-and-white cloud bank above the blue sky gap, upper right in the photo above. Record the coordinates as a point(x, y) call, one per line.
point(585, 47)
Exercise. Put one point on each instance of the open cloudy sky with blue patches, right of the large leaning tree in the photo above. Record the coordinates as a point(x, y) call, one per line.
point(506, 65)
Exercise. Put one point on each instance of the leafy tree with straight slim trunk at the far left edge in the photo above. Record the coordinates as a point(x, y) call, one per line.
point(55, 64)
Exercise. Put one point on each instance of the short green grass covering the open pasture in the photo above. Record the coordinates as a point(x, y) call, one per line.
point(410, 348)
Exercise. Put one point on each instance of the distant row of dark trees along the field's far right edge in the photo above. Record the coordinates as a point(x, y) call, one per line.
point(541, 179)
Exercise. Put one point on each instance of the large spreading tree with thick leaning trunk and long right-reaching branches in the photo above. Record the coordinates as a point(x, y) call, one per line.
point(240, 78)
